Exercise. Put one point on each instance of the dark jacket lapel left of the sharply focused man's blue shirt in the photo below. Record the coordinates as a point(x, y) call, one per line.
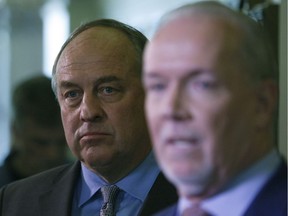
point(57, 200)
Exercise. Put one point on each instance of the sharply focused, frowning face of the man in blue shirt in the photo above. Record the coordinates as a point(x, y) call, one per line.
point(102, 101)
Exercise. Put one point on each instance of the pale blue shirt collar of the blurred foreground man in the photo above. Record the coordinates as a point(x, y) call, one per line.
point(241, 191)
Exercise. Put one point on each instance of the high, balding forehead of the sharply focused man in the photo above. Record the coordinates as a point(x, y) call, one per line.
point(96, 44)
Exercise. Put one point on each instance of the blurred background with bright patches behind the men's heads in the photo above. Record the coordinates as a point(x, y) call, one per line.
point(32, 32)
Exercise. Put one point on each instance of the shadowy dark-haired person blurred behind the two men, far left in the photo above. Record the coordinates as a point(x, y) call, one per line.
point(37, 136)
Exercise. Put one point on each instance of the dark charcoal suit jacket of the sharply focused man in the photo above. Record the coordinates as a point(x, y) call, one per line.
point(51, 194)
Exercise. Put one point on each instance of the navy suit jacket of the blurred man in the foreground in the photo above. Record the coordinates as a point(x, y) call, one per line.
point(270, 201)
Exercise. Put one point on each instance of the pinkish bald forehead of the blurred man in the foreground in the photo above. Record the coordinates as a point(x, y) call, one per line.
point(195, 39)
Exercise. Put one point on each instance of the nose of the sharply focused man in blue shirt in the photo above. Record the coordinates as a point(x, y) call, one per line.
point(91, 108)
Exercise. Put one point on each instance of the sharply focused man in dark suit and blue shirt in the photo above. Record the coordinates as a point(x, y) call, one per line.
point(97, 81)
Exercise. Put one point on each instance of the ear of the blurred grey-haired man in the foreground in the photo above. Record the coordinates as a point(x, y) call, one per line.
point(267, 102)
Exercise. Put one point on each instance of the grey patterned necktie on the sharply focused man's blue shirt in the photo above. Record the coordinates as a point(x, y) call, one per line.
point(109, 194)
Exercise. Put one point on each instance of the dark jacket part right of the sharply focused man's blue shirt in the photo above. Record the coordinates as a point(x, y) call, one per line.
point(161, 195)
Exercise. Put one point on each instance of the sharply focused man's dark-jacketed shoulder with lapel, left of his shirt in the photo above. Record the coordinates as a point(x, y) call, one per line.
point(42, 191)
